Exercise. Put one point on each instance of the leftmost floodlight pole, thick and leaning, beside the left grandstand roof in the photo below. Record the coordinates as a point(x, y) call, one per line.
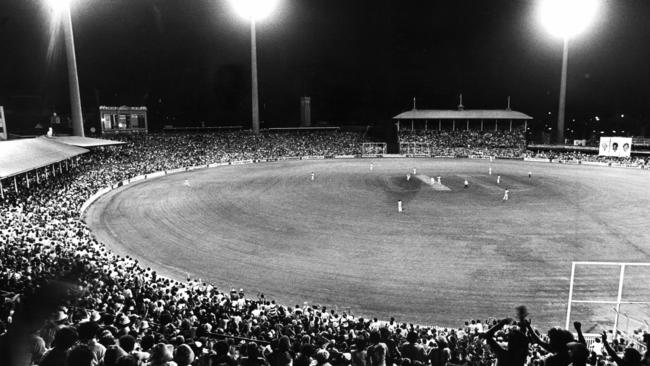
point(73, 78)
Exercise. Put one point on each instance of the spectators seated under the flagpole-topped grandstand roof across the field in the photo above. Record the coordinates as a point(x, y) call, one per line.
point(472, 143)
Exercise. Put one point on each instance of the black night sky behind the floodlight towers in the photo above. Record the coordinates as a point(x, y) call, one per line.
point(360, 61)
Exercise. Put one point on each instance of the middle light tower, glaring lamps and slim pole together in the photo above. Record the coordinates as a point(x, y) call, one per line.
point(254, 10)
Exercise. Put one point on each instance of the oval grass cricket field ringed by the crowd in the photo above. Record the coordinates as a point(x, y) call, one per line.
point(339, 240)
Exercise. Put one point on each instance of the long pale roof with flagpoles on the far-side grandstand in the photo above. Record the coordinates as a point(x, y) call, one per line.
point(462, 114)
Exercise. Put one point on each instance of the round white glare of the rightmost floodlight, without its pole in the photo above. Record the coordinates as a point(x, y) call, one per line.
point(567, 18)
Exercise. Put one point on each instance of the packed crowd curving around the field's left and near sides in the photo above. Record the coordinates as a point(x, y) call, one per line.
point(66, 300)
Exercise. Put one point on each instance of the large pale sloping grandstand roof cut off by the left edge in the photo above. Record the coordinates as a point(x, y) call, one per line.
point(20, 156)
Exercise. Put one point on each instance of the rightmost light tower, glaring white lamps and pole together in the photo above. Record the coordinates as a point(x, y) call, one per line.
point(566, 19)
